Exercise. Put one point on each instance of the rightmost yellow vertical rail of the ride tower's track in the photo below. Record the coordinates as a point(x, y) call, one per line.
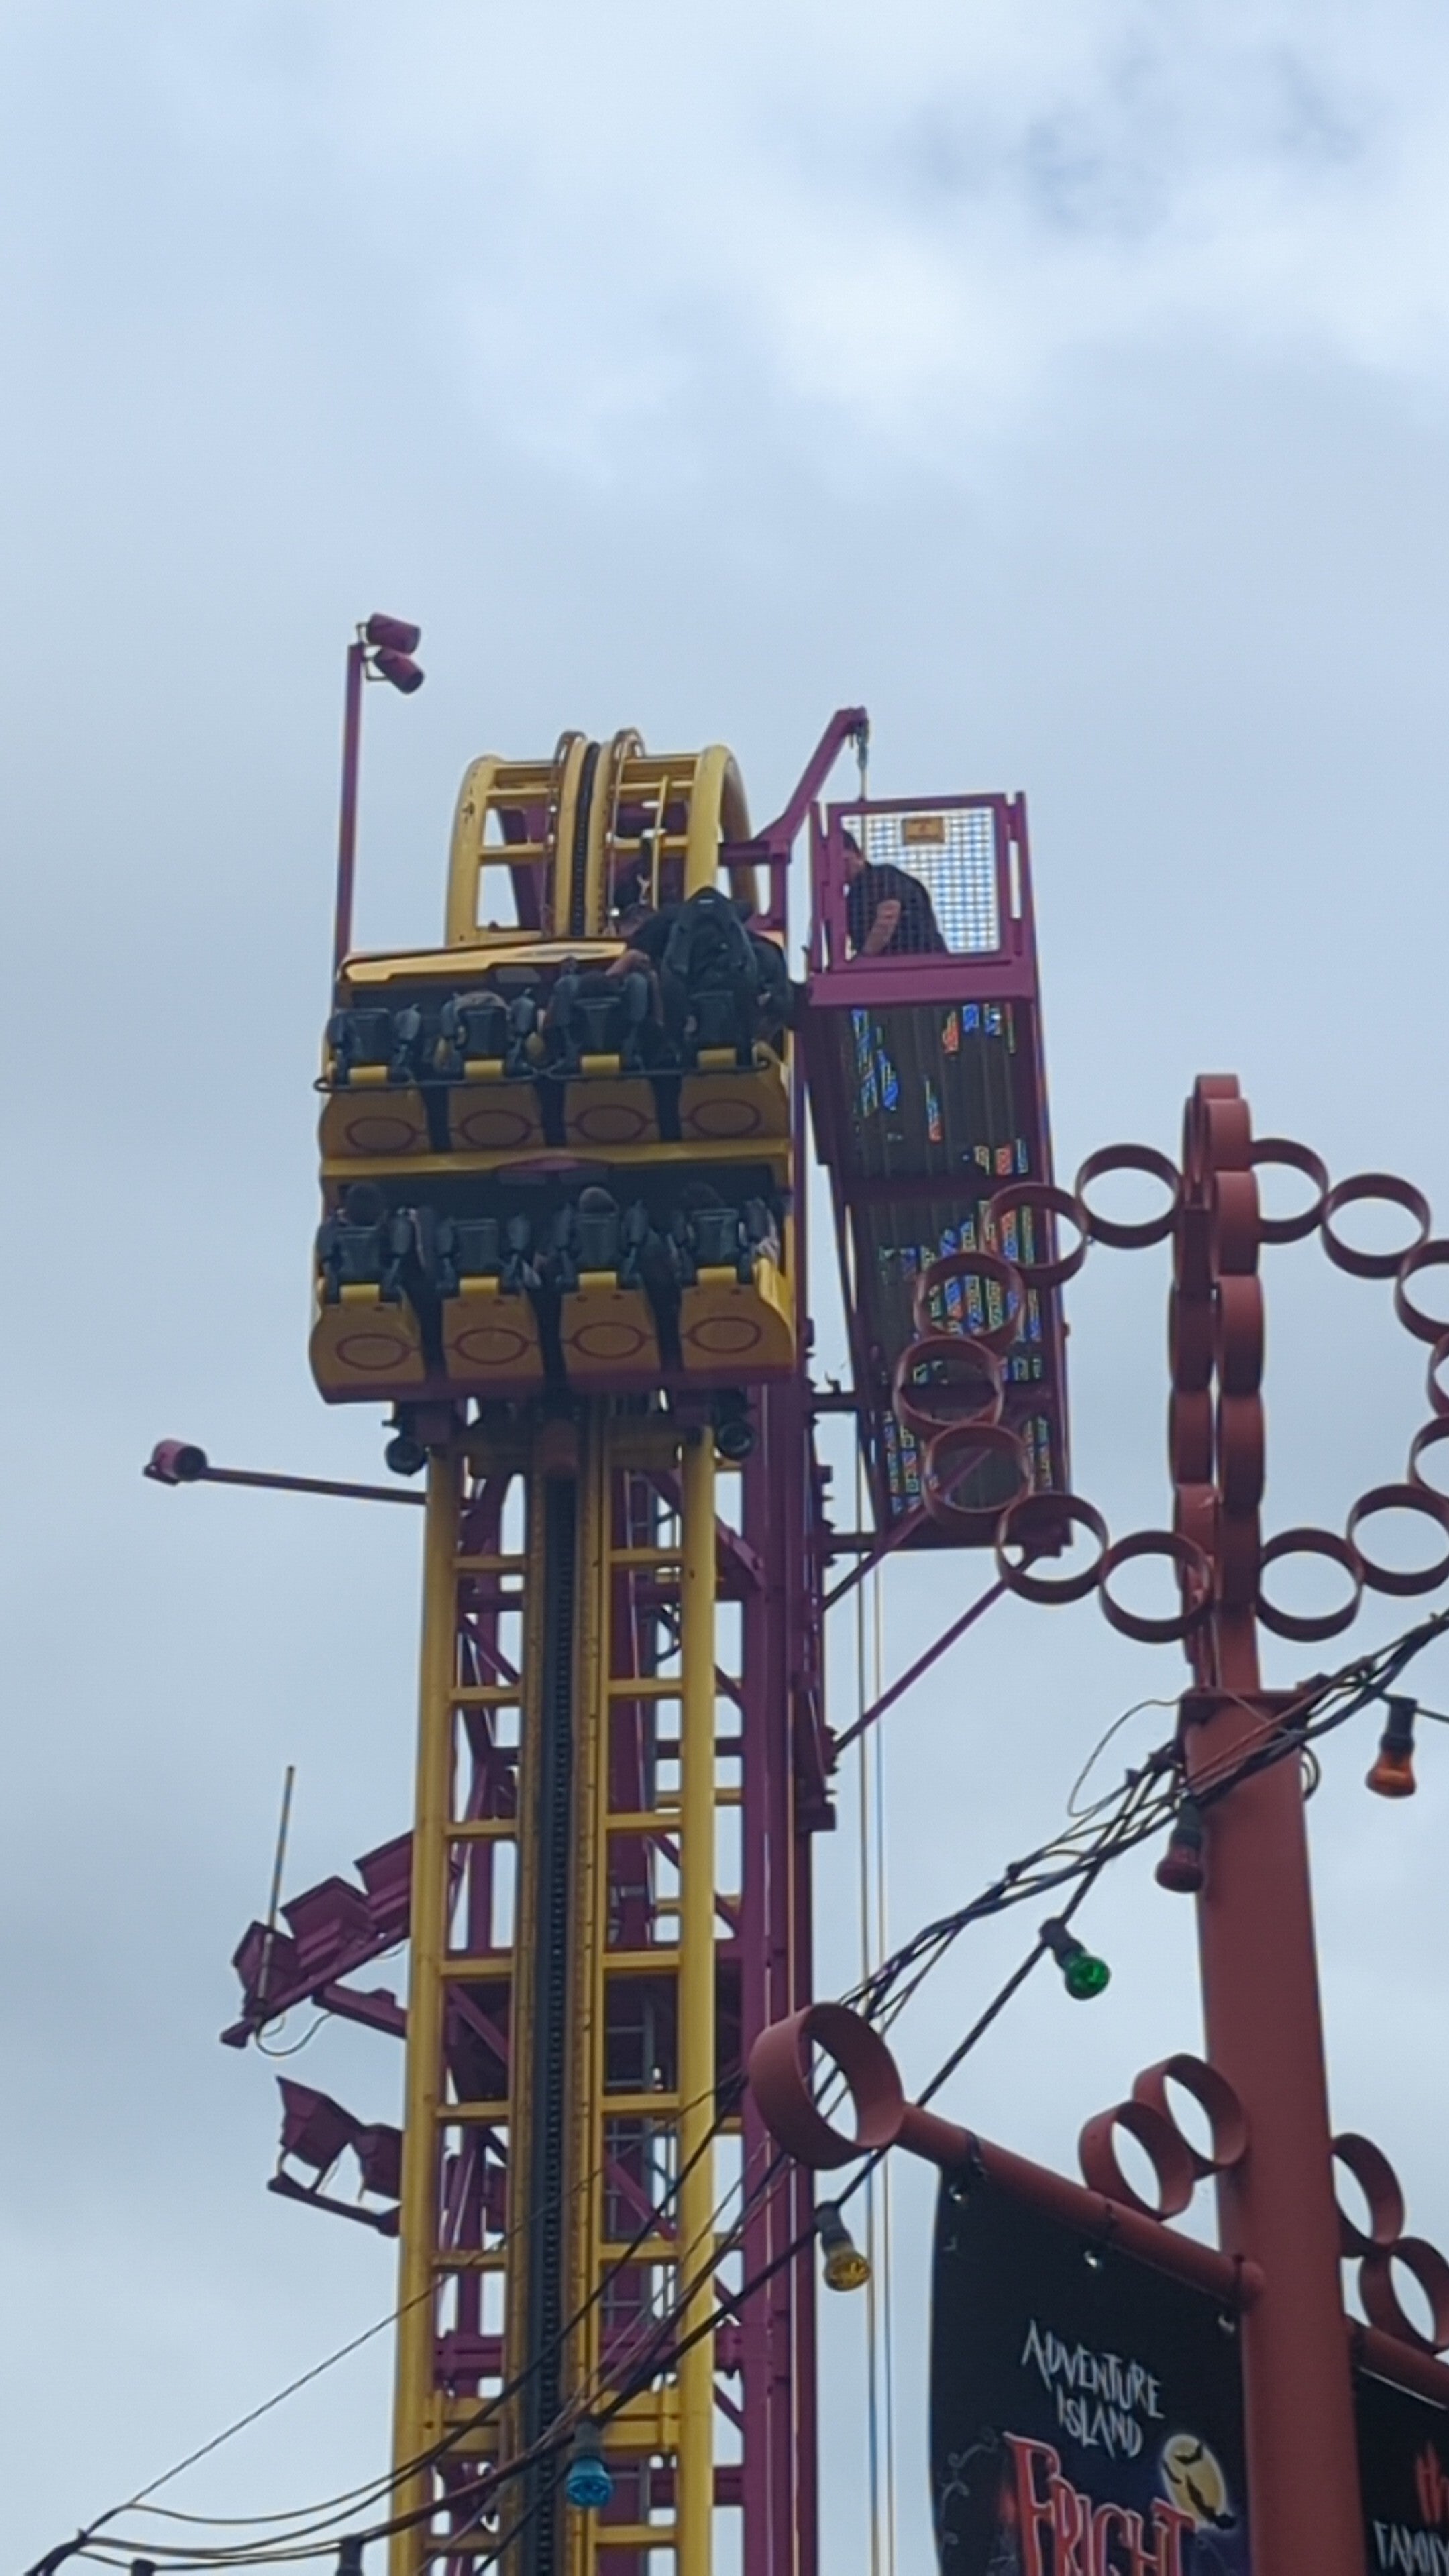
point(695, 2497)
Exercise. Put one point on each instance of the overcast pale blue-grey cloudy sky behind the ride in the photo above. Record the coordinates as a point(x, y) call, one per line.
point(1069, 383)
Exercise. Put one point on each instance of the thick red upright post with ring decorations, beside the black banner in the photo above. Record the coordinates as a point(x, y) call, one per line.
point(1259, 1967)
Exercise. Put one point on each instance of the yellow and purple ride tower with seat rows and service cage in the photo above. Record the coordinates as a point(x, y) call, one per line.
point(563, 1238)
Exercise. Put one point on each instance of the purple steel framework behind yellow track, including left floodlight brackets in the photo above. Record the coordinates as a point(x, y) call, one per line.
point(342, 1928)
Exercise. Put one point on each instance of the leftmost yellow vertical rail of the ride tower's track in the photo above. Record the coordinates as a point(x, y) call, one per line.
point(416, 2405)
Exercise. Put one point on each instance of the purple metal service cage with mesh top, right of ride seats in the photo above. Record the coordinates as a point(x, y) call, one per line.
point(929, 1094)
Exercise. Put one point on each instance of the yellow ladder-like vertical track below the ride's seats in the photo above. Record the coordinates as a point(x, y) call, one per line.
point(607, 1993)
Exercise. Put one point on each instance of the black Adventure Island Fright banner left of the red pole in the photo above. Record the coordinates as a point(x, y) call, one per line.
point(1087, 2412)
